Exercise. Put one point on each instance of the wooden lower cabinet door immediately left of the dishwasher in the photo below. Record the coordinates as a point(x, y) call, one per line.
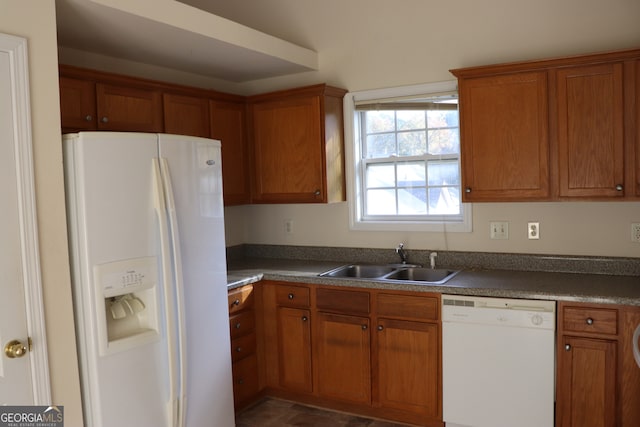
point(408, 367)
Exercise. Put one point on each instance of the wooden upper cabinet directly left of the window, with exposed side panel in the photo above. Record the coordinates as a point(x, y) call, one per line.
point(298, 148)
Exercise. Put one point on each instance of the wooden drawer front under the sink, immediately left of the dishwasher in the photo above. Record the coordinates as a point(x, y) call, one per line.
point(408, 306)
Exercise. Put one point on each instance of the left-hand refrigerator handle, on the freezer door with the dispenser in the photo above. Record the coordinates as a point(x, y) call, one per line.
point(175, 382)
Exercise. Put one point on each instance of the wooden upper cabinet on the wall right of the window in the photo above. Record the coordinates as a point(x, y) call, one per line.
point(564, 128)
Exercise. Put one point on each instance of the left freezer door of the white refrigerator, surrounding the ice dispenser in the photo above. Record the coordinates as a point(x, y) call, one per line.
point(111, 218)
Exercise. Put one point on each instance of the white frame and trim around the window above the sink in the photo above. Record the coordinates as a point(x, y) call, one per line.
point(355, 199)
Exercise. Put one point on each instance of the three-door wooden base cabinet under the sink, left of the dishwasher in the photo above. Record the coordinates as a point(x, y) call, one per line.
point(355, 350)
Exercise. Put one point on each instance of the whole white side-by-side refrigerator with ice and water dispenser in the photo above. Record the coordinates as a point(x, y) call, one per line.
point(145, 218)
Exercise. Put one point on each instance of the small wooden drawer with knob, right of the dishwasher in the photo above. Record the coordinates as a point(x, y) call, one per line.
point(589, 319)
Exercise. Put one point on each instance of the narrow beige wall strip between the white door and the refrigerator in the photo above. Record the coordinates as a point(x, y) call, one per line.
point(35, 21)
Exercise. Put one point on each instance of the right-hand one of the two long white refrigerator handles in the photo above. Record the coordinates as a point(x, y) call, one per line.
point(178, 290)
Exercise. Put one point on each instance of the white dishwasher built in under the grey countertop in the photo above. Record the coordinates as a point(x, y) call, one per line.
point(498, 362)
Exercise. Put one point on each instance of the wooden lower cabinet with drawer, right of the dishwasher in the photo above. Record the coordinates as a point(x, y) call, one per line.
point(598, 380)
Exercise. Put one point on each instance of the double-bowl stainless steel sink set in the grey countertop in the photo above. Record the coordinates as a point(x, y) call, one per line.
point(392, 272)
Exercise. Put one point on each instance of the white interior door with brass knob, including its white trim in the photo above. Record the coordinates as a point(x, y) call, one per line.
point(24, 378)
